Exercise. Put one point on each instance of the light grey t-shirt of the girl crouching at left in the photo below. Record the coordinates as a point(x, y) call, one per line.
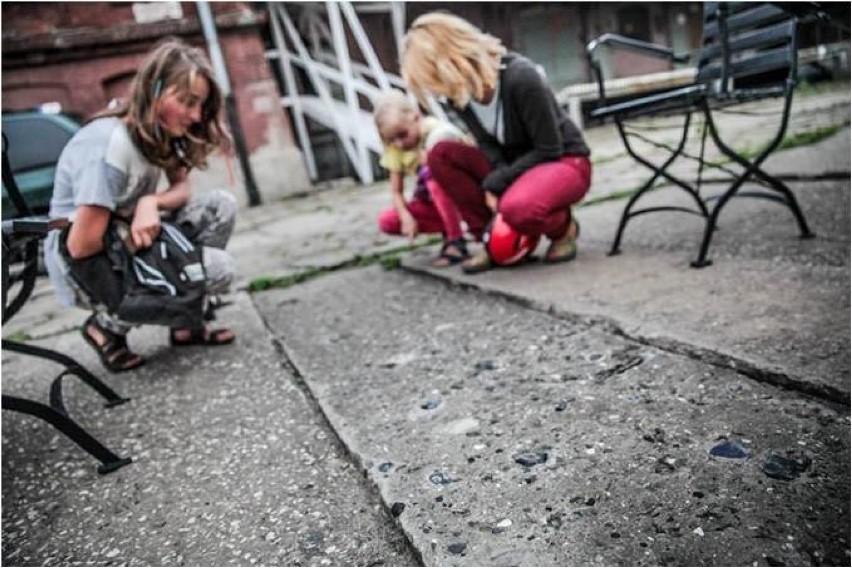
point(100, 166)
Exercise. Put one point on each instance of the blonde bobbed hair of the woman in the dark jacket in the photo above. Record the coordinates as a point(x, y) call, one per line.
point(446, 55)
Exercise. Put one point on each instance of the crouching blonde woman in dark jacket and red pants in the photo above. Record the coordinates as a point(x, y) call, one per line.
point(531, 163)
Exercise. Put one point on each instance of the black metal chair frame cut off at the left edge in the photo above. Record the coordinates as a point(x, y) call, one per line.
point(25, 233)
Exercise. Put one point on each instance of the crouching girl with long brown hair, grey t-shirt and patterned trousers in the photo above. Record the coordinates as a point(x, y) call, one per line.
point(112, 166)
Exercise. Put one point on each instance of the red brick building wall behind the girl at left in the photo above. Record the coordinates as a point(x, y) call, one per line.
point(82, 55)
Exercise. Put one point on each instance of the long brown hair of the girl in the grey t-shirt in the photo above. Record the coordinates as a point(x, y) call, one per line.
point(172, 65)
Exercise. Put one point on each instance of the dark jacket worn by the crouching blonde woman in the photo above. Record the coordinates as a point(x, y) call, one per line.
point(535, 129)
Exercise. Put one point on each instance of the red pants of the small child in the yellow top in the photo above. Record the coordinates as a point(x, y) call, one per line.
point(436, 216)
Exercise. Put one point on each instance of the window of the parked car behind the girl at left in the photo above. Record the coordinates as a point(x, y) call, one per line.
point(34, 142)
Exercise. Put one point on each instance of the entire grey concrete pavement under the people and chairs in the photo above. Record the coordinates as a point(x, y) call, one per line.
point(446, 394)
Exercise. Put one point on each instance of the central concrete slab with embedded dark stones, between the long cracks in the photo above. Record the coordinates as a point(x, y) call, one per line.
point(505, 436)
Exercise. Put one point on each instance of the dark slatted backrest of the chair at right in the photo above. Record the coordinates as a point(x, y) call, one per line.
point(748, 41)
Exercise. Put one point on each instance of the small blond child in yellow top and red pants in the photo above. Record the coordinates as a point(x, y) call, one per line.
point(408, 136)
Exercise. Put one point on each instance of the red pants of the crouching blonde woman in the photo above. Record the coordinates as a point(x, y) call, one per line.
point(536, 203)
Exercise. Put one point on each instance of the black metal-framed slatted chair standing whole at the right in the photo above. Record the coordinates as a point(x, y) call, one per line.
point(739, 41)
